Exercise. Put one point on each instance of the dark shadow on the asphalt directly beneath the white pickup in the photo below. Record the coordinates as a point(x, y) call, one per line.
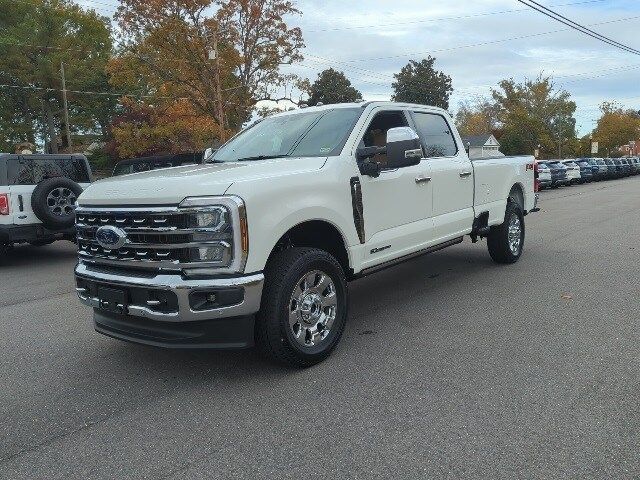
point(426, 276)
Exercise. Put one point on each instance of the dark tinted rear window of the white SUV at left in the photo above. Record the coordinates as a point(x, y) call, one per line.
point(32, 169)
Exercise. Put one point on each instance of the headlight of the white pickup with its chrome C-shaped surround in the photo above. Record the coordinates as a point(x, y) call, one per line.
point(219, 228)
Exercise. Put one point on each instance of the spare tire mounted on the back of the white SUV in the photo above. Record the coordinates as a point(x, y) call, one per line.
point(53, 202)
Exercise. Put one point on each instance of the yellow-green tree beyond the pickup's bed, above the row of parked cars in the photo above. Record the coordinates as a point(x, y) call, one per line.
point(535, 113)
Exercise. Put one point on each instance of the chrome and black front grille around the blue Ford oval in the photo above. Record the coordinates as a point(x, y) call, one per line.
point(161, 238)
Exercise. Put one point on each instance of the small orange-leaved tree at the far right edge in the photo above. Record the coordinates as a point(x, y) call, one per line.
point(616, 127)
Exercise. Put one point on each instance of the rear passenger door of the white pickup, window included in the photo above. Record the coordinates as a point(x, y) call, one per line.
point(452, 176)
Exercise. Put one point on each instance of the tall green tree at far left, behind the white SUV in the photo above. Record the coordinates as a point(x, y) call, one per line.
point(36, 37)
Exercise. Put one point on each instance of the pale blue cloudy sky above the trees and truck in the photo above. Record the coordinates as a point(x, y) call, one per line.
point(478, 43)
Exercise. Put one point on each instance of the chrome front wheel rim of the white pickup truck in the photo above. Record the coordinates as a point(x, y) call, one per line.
point(312, 308)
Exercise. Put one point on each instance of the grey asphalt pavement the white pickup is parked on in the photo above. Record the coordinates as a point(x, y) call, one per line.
point(450, 367)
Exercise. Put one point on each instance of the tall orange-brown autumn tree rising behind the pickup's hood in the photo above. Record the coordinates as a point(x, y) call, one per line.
point(221, 63)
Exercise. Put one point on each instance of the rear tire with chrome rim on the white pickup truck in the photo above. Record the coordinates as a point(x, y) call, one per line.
point(506, 241)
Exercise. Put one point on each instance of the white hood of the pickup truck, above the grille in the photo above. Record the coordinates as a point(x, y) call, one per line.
point(170, 186)
